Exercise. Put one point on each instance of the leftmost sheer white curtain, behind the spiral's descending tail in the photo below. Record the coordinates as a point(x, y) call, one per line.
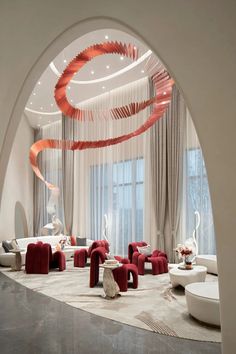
point(50, 163)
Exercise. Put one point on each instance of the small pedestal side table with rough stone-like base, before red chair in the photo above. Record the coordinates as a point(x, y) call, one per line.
point(110, 286)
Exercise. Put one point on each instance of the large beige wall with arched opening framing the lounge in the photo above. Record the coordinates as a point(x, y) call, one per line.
point(195, 39)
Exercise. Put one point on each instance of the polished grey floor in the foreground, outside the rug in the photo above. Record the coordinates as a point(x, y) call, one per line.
point(32, 323)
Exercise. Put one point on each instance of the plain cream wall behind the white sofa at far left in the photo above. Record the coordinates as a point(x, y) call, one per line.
point(18, 184)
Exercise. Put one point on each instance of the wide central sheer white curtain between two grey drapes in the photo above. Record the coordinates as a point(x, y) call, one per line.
point(109, 182)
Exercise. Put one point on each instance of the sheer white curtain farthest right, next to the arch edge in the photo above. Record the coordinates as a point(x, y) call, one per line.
point(196, 196)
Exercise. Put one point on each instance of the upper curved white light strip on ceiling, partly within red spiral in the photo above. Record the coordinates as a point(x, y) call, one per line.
point(108, 77)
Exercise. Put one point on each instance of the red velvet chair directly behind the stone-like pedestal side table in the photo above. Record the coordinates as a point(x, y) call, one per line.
point(121, 274)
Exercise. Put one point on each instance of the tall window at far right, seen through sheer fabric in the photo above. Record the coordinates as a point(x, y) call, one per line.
point(198, 199)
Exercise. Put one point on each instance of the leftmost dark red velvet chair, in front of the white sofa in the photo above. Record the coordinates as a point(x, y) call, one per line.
point(39, 259)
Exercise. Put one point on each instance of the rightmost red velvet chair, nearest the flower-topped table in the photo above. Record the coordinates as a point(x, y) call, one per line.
point(158, 259)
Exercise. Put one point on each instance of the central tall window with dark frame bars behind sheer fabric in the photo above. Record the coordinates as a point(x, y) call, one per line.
point(116, 190)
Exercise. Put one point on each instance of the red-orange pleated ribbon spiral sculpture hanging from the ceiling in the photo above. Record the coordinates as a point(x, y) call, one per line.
point(162, 83)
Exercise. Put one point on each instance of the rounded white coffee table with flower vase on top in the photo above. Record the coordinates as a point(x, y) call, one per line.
point(186, 276)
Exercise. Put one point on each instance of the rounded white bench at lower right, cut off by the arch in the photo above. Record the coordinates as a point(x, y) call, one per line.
point(203, 302)
